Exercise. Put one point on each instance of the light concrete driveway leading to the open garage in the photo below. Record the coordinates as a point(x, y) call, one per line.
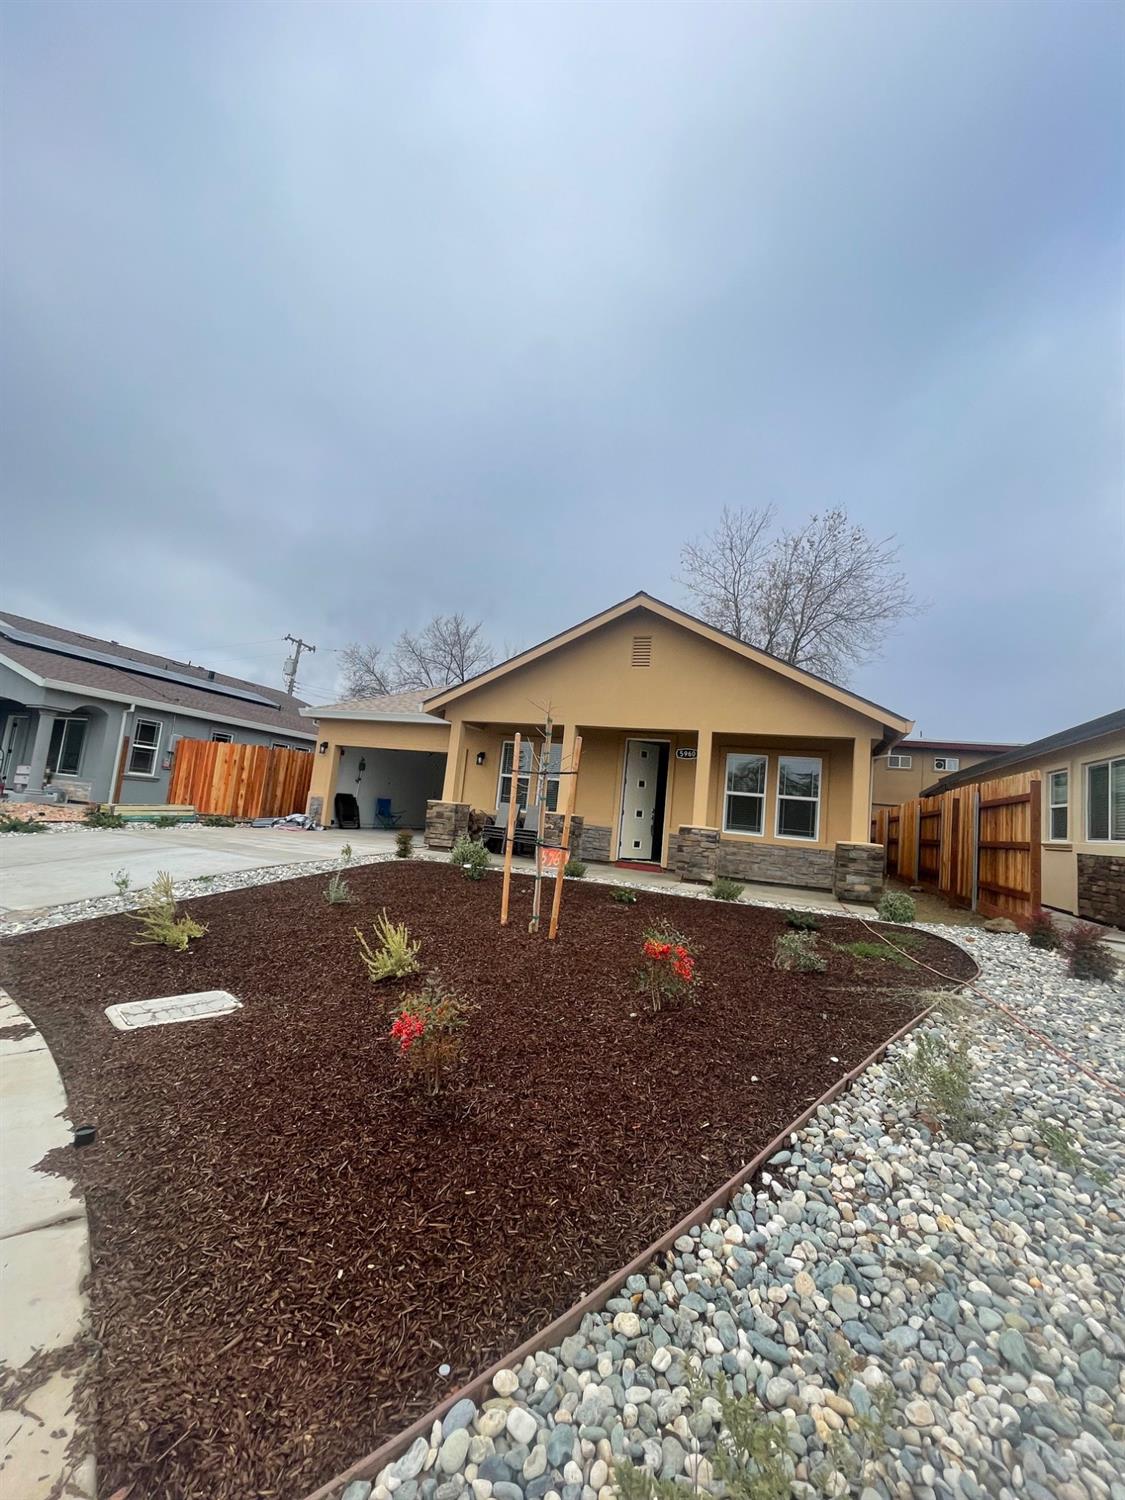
point(41, 871)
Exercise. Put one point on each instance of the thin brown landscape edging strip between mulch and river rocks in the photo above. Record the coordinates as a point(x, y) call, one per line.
point(566, 1324)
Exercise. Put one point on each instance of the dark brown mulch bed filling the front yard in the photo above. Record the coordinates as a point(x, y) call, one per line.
point(287, 1243)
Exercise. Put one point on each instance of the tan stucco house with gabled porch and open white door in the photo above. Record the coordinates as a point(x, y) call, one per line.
point(700, 754)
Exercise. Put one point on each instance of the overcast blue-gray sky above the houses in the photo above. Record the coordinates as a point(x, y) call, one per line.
point(326, 317)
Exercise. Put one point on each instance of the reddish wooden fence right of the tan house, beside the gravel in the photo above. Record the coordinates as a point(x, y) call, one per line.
point(976, 845)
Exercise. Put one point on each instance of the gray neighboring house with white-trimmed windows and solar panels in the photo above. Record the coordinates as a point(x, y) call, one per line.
point(92, 715)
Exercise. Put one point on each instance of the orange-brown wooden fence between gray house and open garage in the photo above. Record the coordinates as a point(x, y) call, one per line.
point(241, 781)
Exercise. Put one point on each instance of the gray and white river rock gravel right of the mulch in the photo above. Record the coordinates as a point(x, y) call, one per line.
point(931, 1319)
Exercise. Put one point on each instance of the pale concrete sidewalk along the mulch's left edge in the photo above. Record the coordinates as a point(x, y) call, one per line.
point(44, 1259)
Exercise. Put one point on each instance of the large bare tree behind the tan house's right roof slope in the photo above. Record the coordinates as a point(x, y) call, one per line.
point(821, 596)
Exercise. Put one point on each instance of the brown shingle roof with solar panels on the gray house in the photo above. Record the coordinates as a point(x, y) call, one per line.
point(50, 656)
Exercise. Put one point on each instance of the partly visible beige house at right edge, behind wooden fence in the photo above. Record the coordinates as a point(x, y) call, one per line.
point(1082, 784)
